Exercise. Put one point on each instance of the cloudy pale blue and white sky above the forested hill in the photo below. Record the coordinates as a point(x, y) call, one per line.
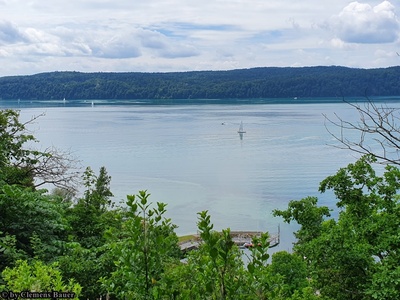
point(180, 35)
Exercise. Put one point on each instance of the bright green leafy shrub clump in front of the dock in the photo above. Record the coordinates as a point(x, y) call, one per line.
point(216, 270)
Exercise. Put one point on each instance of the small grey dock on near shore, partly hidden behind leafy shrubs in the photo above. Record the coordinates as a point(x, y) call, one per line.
point(240, 238)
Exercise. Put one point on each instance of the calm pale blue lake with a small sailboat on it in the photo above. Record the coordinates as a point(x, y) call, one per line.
point(190, 155)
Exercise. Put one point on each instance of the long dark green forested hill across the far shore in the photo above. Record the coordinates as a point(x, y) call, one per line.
point(242, 83)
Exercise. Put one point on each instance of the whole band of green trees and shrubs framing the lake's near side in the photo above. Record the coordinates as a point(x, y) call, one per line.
point(85, 247)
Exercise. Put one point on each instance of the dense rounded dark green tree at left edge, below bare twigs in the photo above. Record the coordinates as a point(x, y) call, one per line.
point(34, 220)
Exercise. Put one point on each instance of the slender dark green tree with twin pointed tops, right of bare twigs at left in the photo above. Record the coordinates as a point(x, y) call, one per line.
point(86, 257)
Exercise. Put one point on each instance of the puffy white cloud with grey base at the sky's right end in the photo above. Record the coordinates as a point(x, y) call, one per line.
point(365, 24)
